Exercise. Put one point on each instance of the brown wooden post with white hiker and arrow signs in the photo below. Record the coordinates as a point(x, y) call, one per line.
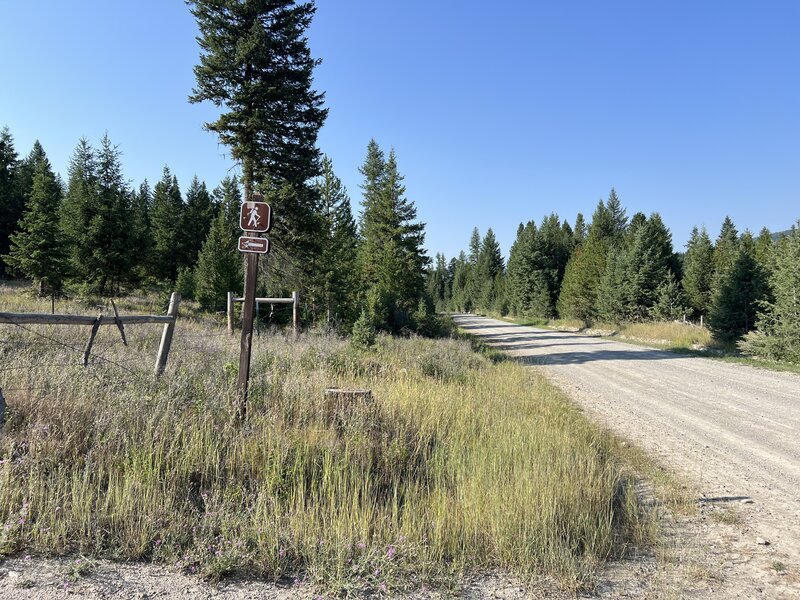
point(255, 218)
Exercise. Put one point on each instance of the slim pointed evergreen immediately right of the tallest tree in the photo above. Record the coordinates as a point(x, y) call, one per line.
point(338, 260)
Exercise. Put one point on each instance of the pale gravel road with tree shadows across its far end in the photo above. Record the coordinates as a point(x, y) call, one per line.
point(731, 429)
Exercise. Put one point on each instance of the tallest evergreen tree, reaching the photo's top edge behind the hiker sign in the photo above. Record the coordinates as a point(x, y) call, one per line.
point(255, 62)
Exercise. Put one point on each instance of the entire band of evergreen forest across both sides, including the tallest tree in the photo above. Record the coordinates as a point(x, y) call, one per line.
point(367, 270)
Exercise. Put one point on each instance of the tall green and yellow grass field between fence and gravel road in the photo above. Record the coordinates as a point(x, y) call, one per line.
point(460, 464)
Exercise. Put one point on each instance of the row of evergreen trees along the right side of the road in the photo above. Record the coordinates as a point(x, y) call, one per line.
point(618, 269)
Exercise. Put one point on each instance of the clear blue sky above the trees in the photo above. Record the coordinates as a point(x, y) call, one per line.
point(499, 112)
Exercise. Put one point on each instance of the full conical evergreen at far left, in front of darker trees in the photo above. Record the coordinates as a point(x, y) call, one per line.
point(37, 248)
